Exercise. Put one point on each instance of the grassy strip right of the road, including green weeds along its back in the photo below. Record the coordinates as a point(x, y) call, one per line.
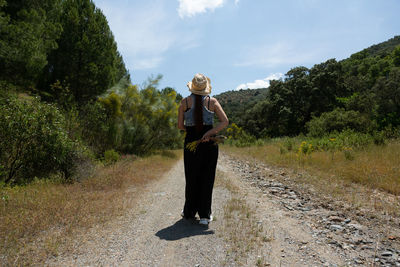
point(349, 156)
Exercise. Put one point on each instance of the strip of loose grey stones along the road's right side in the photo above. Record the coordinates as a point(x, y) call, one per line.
point(359, 238)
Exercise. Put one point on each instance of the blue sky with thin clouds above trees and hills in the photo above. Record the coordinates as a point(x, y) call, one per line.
point(242, 43)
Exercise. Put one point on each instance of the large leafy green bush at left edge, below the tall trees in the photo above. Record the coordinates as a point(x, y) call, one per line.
point(33, 141)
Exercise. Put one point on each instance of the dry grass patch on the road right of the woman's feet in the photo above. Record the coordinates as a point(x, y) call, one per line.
point(240, 227)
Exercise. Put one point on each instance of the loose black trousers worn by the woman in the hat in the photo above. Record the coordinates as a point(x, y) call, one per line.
point(200, 169)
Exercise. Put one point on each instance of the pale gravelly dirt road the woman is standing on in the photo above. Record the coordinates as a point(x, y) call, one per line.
point(153, 234)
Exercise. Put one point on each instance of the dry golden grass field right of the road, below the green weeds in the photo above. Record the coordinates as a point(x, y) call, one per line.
point(375, 166)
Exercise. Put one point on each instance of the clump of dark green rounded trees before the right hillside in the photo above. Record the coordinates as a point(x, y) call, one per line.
point(291, 103)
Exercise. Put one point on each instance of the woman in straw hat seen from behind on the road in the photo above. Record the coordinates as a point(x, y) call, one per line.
point(195, 116)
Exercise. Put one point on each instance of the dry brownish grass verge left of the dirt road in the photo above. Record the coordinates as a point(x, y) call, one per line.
point(36, 220)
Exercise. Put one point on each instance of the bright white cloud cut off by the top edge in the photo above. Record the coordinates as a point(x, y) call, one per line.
point(189, 8)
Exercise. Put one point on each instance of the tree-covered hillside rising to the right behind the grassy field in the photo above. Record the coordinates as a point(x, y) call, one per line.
point(361, 73)
